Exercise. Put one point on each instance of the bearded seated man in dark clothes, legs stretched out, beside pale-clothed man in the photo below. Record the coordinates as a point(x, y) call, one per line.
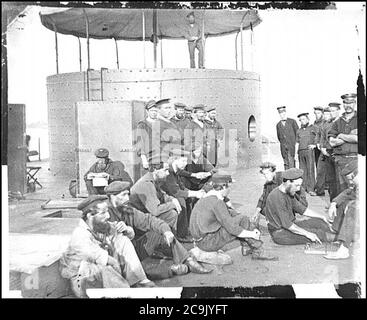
point(150, 232)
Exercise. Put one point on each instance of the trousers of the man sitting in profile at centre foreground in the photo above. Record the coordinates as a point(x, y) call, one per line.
point(218, 239)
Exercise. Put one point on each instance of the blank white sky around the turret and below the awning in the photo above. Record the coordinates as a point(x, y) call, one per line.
point(305, 58)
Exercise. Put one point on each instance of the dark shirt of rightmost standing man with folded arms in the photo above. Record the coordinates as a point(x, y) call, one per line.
point(341, 125)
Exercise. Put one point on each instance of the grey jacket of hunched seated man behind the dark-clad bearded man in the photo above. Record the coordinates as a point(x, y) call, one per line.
point(148, 197)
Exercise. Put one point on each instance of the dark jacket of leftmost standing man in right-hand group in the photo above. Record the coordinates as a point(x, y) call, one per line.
point(287, 135)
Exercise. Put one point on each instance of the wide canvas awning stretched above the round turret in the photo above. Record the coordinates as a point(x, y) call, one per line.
point(127, 24)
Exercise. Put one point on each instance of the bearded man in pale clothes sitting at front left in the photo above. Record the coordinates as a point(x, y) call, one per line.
point(98, 255)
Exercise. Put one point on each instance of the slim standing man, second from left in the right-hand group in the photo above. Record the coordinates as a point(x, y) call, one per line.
point(305, 138)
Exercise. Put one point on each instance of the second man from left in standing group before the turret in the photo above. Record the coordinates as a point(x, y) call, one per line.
point(170, 136)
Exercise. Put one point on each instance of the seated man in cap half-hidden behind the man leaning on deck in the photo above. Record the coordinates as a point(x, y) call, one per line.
point(273, 180)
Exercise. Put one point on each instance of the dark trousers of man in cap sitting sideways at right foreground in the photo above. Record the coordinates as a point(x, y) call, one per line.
point(286, 237)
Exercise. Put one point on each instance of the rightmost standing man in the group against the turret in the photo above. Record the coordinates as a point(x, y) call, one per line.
point(215, 134)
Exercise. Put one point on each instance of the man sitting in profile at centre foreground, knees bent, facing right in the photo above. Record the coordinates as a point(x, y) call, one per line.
point(213, 224)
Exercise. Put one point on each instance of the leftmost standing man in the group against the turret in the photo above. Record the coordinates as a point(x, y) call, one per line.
point(144, 134)
